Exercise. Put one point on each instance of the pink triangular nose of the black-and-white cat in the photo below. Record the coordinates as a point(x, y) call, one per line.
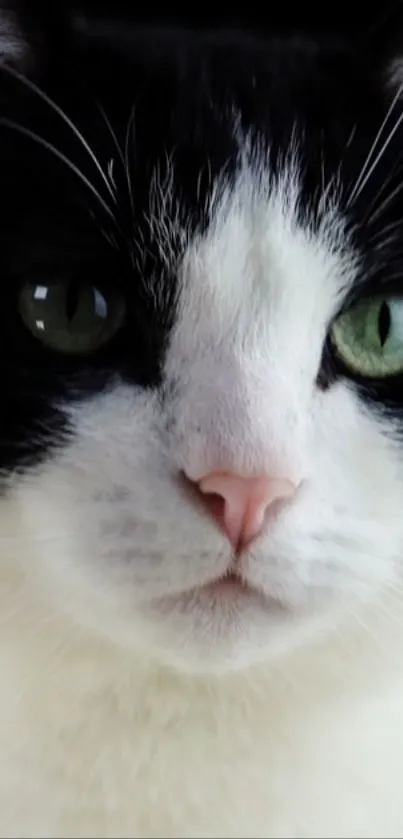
point(242, 505)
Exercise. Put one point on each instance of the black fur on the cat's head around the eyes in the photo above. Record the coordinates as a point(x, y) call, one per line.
point(185, 82)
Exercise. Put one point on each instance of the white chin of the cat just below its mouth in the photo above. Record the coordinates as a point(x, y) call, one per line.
point(208, 631)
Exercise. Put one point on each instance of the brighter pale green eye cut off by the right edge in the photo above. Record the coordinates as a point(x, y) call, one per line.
point(368, 338)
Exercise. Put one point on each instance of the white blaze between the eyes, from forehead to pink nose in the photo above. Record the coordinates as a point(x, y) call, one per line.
point(257, 294)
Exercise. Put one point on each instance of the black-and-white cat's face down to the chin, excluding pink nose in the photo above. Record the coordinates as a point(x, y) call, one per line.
point(201, 240)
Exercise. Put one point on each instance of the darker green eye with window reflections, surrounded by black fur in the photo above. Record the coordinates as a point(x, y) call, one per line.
point(71, 317)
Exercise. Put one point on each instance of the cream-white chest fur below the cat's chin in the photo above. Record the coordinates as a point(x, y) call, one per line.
point(121, 750)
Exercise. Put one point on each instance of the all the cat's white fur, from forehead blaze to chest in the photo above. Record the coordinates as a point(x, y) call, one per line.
point(132, 703)
